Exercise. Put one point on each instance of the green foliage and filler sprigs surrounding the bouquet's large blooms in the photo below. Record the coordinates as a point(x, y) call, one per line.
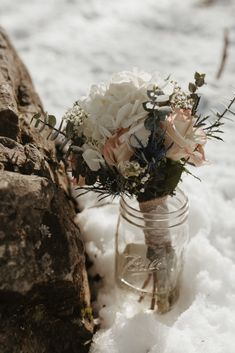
point(156, 175)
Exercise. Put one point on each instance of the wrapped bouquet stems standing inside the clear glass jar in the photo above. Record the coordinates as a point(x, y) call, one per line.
point(161, 253)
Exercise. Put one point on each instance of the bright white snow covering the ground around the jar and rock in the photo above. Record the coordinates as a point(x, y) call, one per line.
point(70, 44)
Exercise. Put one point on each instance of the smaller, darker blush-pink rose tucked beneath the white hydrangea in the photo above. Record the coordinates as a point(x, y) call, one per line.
point(116, 150)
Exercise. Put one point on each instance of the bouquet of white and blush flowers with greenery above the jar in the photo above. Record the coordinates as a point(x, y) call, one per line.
point(136, 135)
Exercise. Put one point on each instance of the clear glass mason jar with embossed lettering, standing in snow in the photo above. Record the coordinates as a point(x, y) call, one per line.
point(150, 242)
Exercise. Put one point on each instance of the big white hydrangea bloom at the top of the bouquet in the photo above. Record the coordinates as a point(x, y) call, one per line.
point(119, 104)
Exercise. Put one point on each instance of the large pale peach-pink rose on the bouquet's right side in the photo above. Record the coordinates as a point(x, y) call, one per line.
point(182, 139)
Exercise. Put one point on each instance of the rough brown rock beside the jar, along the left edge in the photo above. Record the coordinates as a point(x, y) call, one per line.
point(44, 293)
